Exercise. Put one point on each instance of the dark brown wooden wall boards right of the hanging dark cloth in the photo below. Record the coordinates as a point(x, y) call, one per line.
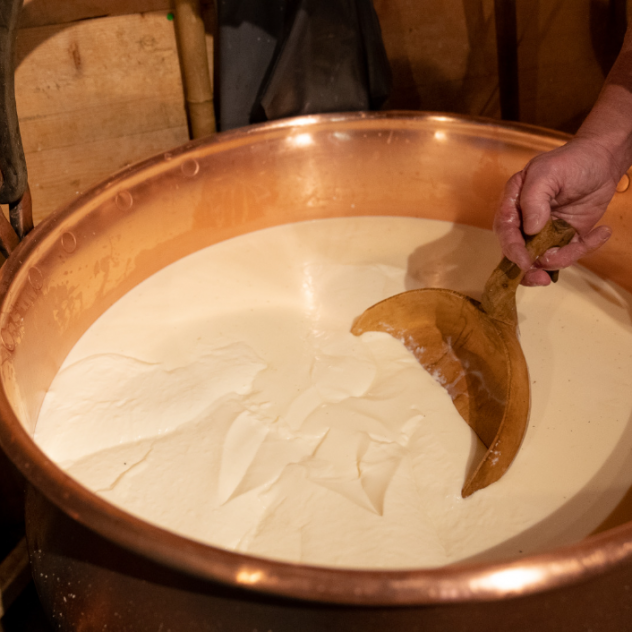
point(443, 56)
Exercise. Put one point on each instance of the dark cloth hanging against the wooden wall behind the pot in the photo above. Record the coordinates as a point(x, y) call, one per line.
point(293, 57)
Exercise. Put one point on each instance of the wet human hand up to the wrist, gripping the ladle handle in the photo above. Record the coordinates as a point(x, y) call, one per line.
point(574, 182)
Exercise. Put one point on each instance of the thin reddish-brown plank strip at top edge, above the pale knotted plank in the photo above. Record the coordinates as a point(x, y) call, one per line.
point(45, 12)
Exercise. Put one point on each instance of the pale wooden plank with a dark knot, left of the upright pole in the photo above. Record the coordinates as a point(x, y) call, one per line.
point(109, 60)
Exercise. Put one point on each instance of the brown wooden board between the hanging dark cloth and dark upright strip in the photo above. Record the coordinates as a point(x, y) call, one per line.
point(442, 55)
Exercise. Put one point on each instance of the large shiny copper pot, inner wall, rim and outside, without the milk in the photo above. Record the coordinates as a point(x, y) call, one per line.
point(93, 563)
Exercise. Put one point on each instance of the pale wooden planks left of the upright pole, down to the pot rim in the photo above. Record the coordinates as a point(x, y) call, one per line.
point(93, 97)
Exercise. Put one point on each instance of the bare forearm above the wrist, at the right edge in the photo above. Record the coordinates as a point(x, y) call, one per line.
point(609, 123)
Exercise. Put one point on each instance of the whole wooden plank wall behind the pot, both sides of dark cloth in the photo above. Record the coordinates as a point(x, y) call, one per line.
point(98, 83)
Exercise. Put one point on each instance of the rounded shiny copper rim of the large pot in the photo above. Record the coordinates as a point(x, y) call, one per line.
point(457, 583)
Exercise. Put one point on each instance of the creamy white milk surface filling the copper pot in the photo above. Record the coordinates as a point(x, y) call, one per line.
point(225, 399)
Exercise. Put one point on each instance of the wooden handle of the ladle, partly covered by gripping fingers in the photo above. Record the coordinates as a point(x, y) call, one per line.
point(499, 296)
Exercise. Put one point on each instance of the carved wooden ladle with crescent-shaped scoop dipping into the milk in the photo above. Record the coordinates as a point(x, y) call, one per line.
point(473, 349)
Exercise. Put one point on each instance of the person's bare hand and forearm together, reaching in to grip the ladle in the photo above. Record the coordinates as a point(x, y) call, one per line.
point(574, 182)
